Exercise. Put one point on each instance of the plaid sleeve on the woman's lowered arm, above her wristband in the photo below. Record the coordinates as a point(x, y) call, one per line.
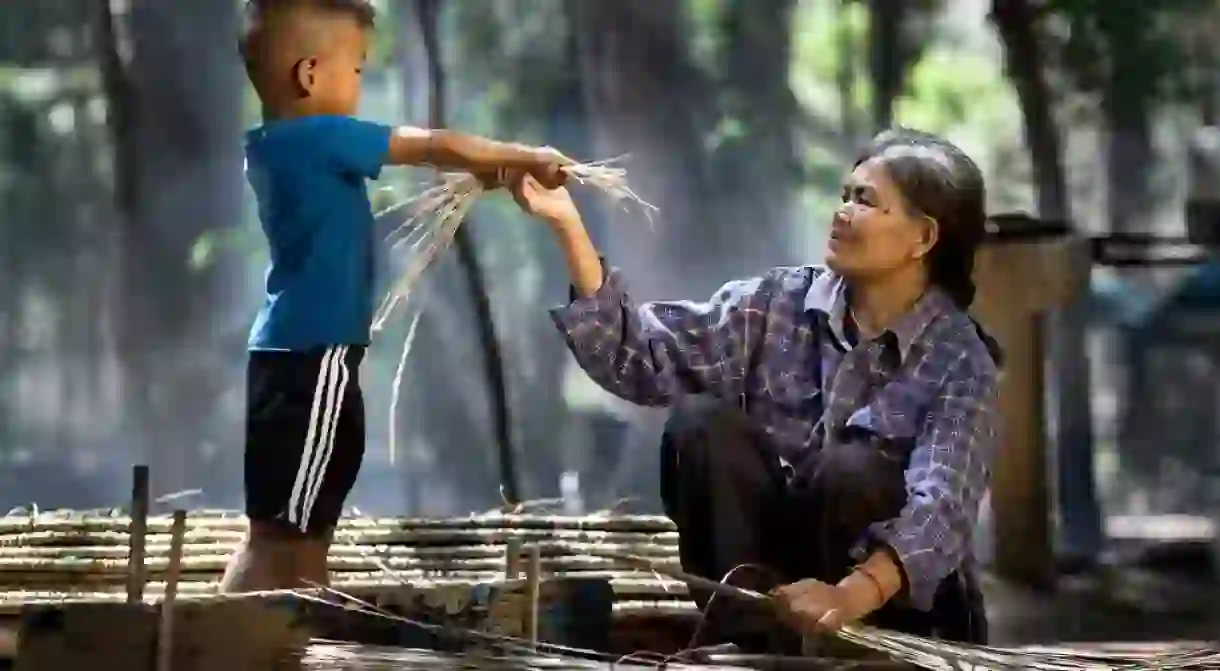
point(947, 478)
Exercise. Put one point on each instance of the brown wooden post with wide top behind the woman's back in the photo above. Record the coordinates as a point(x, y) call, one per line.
point(1024, 273)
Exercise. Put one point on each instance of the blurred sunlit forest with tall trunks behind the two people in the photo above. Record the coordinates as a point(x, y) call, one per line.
point(131, 259)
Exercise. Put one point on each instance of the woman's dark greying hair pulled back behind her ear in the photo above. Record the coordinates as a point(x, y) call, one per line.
point(938, 180)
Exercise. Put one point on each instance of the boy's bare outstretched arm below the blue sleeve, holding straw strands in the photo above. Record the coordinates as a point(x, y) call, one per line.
point(447, 149)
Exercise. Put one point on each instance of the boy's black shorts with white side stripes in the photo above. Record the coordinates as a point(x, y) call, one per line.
point(304, 436)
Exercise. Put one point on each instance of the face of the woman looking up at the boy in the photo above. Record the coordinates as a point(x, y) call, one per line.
point(874, 232)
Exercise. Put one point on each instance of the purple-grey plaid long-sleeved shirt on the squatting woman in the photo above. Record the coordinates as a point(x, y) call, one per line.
point(778, 345)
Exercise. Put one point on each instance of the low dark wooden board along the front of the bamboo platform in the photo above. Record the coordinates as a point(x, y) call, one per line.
point(258, 631)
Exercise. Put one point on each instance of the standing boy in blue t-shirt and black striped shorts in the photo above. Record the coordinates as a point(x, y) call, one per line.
point(308, 165)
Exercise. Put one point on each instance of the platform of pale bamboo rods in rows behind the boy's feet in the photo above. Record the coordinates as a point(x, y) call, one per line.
point(73, 554)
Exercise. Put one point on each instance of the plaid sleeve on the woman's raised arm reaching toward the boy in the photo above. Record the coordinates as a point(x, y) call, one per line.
point(651, 353)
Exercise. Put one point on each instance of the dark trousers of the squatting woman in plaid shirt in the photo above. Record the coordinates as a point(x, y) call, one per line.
point(733, 504)
